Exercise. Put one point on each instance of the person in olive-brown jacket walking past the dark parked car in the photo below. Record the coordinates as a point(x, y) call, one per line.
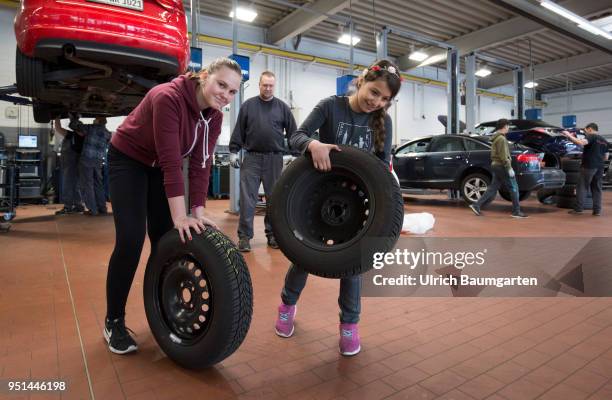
point(503, 174)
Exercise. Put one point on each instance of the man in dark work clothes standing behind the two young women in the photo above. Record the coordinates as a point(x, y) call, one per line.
point(263, 122)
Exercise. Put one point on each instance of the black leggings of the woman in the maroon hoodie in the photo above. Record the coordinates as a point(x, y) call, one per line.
point(139, 206)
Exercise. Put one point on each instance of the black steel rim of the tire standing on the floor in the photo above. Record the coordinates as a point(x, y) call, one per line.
point(184, 299)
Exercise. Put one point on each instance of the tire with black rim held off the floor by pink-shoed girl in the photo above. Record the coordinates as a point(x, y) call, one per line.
point(320, 218)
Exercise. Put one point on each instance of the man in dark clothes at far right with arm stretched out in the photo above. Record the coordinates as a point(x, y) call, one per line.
point(594, 154)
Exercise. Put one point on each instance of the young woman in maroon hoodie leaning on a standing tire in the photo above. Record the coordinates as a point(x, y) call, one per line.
point(175, 120)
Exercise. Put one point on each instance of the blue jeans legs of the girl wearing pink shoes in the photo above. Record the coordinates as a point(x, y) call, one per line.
point(349, 299)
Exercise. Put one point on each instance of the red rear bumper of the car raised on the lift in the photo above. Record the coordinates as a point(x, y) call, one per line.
point(156, 36)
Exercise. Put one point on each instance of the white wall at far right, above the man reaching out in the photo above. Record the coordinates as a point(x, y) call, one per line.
point(588, 105)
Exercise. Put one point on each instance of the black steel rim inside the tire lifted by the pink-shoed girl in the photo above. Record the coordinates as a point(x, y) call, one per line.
point(330, 211)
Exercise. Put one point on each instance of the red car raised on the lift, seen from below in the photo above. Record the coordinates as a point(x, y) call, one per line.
point(97, 57)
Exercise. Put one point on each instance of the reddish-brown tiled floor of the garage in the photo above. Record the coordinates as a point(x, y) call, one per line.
point(52, 305)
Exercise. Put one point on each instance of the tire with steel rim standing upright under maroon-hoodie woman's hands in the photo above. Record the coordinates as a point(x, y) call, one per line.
point(198, 298)
